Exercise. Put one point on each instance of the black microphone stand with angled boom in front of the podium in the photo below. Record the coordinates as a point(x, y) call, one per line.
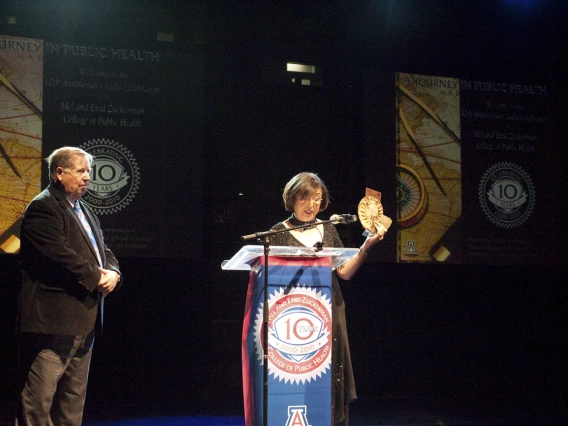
point(263, 238)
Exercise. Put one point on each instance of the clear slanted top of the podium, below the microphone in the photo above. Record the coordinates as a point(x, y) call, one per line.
point(242, 260)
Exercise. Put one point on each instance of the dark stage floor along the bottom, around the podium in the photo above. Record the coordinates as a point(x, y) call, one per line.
point(392, 412)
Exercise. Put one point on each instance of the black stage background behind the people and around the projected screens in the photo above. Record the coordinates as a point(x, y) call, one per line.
point(485, 339)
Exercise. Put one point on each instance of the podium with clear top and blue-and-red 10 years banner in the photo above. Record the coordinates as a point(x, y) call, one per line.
point(299, 333)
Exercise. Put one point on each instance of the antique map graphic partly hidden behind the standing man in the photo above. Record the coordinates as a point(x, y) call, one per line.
point(21, 82)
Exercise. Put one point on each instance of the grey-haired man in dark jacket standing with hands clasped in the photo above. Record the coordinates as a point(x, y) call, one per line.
point(67, 270)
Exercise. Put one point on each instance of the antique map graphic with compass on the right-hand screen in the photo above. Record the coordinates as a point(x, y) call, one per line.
point(429, 198)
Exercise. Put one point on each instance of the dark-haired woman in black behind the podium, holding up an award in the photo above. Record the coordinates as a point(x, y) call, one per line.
point(306, 195)
